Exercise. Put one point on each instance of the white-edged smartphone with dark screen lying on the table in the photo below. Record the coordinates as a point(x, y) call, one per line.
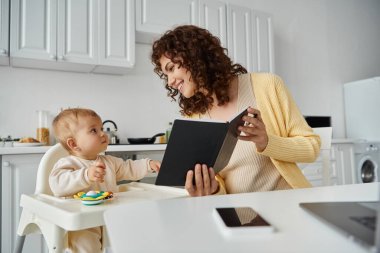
point(241, 221)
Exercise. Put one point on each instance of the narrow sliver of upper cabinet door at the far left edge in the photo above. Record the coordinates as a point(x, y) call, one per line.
point(4, 32)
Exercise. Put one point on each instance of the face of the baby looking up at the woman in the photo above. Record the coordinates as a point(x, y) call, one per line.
point(90, 137)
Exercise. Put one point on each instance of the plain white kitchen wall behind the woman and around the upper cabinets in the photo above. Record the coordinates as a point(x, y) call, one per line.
point(319, 45)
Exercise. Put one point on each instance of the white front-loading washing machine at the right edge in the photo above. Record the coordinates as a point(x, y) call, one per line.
point(367, 161)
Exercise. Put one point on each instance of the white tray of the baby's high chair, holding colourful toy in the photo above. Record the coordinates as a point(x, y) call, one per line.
point(71, 214)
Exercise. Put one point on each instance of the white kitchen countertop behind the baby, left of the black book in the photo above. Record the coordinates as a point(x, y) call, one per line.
point(111, 148)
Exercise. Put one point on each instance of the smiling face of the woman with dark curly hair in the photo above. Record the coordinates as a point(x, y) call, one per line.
point(178, 77)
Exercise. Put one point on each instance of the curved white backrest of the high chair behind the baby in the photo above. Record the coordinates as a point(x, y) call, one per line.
point(46, 165)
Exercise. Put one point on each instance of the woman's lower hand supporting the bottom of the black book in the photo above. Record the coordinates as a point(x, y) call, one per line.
point(205, 182)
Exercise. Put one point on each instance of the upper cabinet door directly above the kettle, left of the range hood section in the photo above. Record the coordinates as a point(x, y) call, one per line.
point(116, 33)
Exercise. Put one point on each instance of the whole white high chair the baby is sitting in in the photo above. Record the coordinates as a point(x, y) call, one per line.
point(52, 217)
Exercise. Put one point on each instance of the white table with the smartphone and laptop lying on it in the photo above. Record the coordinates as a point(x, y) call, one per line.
point(188, 224)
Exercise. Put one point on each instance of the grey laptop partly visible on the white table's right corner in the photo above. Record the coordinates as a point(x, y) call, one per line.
point(358, 220)
